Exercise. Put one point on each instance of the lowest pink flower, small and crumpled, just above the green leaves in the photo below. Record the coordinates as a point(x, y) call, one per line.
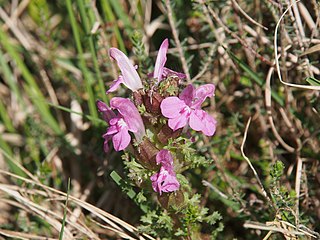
point(165, 180)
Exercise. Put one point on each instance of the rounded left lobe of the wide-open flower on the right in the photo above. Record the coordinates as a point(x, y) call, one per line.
point(171, 107)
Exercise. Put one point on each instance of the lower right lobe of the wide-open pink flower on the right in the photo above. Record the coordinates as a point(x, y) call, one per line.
point(202, 121)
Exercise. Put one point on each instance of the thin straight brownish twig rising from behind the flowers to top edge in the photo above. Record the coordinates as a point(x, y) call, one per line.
point(177, 41)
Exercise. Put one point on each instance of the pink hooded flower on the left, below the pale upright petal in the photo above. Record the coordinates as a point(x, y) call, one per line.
point(127, 119)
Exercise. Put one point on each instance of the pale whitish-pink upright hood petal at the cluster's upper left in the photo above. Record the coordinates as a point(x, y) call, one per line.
point(130, 76)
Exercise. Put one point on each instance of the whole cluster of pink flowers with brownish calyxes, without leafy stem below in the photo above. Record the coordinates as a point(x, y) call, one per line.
point(156, 102)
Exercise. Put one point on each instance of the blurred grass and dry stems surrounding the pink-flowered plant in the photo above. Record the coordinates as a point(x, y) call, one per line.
point(54, 65)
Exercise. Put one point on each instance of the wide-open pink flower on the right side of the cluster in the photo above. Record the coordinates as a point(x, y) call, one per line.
point(187, 109)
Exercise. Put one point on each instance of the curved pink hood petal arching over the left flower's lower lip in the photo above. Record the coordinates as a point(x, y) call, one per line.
point(130, 114)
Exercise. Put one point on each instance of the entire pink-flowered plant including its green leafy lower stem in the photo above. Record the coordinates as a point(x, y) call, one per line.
point(154, 127)
